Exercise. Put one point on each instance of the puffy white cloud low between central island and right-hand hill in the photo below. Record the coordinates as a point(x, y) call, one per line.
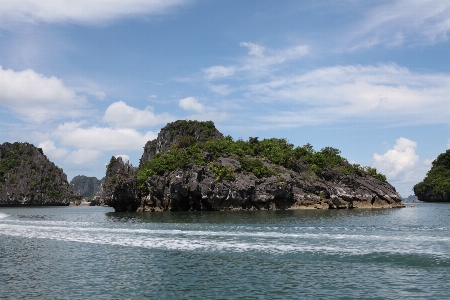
point(398, 163)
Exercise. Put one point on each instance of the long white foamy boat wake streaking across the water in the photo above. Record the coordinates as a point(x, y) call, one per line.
point(241, 240)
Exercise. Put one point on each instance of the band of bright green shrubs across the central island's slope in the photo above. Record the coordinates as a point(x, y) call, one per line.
point(250, 154)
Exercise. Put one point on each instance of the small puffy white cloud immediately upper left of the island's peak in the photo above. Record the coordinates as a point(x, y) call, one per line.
point(124, 116)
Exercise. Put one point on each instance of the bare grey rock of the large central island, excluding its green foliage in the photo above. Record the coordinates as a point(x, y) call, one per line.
point(197, 186)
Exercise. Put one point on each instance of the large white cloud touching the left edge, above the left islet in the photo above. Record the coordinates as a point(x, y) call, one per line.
point(36, 98)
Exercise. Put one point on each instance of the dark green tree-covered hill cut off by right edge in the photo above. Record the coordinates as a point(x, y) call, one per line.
point(436, 185)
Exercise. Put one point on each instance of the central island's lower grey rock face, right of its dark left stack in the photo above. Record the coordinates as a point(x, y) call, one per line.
point(196, 188)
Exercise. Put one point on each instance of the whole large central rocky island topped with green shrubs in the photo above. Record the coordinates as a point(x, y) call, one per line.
point(192, 166)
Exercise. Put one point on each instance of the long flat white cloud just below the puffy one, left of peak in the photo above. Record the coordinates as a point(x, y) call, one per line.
point(100, 138)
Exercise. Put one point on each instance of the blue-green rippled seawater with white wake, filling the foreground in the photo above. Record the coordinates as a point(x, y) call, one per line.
point(95, 253)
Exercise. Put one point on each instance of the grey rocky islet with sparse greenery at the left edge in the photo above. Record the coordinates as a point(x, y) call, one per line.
point(27, 177)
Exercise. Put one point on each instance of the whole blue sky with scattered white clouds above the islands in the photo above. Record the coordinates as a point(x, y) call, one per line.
point(90, 79)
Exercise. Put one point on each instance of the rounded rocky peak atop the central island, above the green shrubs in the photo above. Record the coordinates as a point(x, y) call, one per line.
point(201, 131)
